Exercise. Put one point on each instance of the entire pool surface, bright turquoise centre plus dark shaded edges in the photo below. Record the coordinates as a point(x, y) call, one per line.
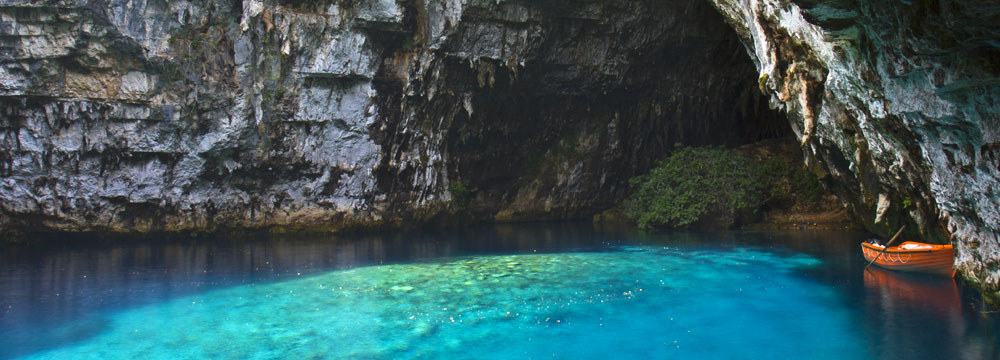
point(508, 292)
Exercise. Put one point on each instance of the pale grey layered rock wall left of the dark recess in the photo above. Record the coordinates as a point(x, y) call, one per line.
point(157, 115)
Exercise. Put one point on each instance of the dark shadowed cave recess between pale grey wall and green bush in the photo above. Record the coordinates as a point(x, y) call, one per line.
point(544, 110)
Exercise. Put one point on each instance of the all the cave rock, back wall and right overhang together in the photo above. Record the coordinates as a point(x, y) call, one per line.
point(326, 115)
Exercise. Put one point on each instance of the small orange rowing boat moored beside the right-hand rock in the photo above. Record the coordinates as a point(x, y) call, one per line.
point(912, 256)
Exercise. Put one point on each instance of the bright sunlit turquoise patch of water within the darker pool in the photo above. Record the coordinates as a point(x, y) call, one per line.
point(636, 302)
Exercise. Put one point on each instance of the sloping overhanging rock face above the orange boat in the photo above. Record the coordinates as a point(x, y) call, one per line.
point(897, 103)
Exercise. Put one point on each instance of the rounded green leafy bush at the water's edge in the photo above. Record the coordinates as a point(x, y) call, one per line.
point(696, 184)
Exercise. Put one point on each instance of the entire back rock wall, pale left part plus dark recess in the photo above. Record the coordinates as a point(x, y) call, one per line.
point(322, 114)
